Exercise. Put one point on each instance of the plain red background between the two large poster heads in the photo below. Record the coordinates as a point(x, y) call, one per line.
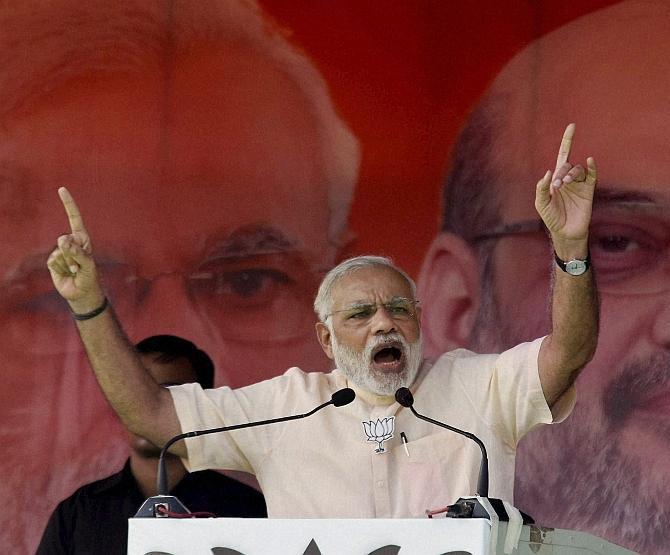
point(405, 75)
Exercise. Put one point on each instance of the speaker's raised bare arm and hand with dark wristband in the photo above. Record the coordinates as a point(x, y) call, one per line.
point(145, 407)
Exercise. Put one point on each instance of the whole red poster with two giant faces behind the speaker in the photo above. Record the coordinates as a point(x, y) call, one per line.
point(225, 155)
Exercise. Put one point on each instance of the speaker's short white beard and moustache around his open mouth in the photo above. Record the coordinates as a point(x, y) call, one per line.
point(357, 367)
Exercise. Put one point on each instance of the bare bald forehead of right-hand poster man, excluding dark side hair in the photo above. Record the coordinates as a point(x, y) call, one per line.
point(607, 71)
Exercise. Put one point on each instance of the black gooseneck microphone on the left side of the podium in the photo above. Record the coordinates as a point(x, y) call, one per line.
point(163, 504)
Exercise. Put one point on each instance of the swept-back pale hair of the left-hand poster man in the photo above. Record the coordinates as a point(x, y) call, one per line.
point(45, 45)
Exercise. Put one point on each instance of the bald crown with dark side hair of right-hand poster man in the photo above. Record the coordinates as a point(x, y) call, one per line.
point(608, 71)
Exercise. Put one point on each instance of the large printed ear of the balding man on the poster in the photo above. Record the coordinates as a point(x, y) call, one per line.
point(448, 288)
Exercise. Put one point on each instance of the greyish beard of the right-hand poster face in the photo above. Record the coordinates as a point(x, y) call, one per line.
point(576, 476)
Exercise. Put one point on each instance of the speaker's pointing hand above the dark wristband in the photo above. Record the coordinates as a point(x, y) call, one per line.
point(71, 264)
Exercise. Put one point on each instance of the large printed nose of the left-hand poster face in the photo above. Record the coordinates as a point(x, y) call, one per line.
point(164, 309)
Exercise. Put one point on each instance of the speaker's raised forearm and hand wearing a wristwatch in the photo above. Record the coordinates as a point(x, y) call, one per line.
point(564, 201)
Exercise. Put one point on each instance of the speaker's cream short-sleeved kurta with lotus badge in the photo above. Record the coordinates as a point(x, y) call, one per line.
point(325, 467)
